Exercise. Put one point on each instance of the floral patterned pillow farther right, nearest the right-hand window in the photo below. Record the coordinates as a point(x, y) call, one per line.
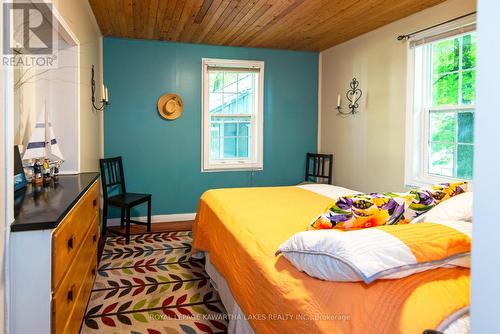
point(426, 198)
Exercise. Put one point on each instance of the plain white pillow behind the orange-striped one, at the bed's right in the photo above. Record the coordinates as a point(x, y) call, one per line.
point(458, 207)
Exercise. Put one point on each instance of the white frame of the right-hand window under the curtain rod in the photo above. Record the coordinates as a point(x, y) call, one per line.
point(417, 141)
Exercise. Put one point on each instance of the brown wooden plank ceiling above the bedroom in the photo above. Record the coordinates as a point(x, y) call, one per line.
point(312, 25)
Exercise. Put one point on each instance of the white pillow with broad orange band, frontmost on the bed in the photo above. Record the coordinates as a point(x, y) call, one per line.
point(384, 252)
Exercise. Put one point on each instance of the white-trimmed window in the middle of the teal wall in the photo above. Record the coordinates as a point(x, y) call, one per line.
point(232, 123)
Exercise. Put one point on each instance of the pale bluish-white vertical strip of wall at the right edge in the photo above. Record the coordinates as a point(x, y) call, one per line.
point(486, 228)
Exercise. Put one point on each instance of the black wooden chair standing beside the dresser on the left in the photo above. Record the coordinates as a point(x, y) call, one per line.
point(113, 179)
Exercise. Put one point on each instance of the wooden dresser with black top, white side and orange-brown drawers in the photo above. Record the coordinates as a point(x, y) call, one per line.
point(54, 244)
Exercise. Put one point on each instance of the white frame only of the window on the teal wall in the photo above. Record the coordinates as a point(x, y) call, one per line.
point(255, 161)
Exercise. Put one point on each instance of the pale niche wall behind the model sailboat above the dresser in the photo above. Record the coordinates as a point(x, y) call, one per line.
point(57, 90)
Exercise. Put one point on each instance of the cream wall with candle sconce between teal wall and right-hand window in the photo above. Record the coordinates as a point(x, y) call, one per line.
point(369, 147)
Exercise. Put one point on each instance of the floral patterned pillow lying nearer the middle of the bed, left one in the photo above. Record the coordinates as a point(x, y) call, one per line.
point(363, 211)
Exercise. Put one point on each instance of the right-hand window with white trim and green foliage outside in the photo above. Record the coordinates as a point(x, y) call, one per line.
point(440, 122)
